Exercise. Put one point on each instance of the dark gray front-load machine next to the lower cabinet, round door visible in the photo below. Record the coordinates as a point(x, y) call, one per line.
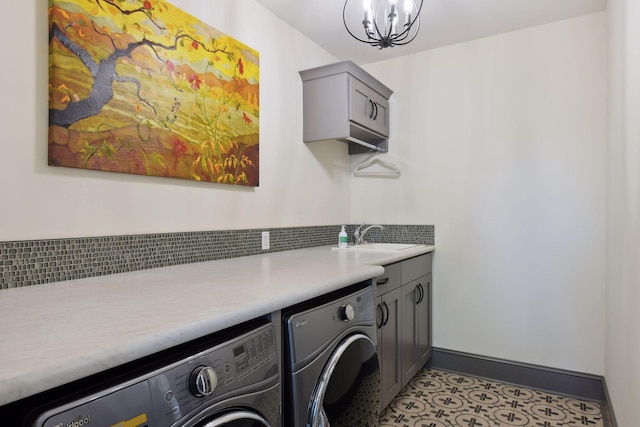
point(331, 374)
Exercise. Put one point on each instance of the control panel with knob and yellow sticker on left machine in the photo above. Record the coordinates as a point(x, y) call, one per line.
point(167, 395)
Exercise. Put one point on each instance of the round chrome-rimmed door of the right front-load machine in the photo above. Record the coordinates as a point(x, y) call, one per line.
point(348, 392)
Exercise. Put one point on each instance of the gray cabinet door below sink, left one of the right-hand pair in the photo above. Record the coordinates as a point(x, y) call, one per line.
point(409, 328)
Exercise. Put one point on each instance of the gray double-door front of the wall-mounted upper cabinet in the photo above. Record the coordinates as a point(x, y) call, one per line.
point(368, 108)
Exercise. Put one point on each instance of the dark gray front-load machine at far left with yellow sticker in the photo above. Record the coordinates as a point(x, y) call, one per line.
point(230, 381)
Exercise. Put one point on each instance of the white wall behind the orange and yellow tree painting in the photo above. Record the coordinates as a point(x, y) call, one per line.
point(40, 202)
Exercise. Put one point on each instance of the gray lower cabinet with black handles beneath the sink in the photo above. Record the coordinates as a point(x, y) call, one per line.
point(404, 322)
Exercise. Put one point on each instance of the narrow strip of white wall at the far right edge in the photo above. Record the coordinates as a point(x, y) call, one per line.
point(622, 353)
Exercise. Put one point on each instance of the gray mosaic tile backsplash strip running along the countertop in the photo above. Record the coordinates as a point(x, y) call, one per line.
point(34, 262)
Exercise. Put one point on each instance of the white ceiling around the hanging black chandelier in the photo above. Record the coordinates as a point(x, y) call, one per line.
point(443, 22)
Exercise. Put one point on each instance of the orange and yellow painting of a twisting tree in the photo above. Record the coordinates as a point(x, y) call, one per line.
point(141, 87)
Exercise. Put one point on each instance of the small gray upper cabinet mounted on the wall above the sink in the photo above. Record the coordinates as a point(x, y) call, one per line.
point(343, 102)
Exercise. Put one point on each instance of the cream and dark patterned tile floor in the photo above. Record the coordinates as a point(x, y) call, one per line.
point(440, 399)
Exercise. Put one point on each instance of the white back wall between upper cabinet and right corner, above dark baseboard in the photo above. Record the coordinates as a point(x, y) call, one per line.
point(501, 144)
